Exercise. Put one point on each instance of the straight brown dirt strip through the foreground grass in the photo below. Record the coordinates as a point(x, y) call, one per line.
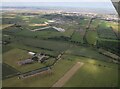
point(68, 75)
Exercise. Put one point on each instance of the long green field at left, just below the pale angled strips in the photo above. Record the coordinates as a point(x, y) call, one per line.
point(25, 32)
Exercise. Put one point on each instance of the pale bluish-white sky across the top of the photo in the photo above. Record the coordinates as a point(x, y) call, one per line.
point(91, 4)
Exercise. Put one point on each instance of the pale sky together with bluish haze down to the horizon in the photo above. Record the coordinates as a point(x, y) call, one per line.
point(103, 5)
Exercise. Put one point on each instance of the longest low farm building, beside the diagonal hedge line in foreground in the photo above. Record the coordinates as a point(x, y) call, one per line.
point(43, 70)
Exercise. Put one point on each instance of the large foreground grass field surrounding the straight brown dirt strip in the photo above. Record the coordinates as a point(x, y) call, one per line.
point(92, 73)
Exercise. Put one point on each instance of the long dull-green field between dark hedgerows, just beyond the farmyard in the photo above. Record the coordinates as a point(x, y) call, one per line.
point(46, 44)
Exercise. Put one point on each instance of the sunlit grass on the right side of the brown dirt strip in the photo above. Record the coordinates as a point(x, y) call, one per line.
point(94, 73)
